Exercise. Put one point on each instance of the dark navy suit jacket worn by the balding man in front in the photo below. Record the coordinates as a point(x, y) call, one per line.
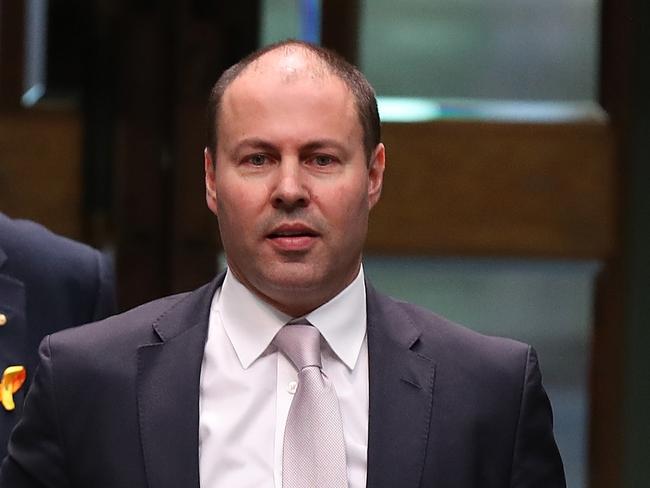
point(116, 404)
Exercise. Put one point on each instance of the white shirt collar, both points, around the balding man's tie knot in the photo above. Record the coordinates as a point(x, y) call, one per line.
point(251, 323)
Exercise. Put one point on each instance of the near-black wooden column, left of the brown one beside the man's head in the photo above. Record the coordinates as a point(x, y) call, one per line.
point(143, 152)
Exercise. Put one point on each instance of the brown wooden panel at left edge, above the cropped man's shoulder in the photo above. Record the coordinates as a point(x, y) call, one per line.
point(40, 168)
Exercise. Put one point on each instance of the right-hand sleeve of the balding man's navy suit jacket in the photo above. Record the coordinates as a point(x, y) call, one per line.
point(536, 459)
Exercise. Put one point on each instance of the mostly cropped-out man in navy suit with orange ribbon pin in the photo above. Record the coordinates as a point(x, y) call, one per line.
point(47, 283)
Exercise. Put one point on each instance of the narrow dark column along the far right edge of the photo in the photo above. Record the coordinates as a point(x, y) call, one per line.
point(636, 448)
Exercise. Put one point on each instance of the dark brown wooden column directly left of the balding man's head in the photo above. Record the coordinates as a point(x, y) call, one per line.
point(211, 36)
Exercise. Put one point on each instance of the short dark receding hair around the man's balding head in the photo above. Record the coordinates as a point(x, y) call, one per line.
point(361, 89)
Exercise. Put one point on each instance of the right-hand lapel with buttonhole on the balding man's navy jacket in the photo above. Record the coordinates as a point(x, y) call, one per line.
point(401, 396)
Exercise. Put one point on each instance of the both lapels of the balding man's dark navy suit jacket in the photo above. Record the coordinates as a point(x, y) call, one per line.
point(400, 382)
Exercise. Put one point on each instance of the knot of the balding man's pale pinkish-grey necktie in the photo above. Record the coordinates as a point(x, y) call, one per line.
point(300, 342)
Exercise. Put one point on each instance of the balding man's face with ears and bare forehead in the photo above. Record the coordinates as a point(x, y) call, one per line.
point(292, 187)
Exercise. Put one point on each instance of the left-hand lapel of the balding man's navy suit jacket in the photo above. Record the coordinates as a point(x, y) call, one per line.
point(168, 392)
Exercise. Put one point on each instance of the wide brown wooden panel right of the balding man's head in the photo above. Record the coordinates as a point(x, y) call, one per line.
point(476, 188)
